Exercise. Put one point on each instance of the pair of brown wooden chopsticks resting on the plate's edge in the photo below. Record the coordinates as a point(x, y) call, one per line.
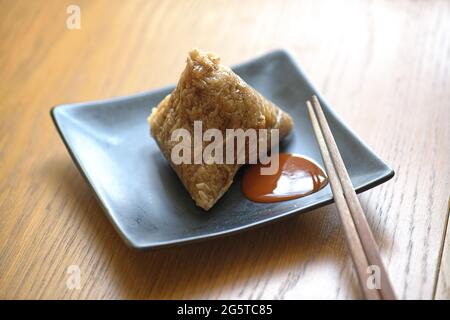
point(362, 245)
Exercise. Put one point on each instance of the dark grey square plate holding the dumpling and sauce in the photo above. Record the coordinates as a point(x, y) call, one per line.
point(110, 143)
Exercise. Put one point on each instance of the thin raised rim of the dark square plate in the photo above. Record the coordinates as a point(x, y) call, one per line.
point(60, 108)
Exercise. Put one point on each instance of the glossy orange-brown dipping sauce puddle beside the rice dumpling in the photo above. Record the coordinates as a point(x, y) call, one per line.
point(296, 177)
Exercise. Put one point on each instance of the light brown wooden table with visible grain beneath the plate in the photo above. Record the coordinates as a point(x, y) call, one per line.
point(385, 67)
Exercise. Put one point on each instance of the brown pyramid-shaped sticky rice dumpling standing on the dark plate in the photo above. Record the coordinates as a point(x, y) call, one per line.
point(210, 92)
